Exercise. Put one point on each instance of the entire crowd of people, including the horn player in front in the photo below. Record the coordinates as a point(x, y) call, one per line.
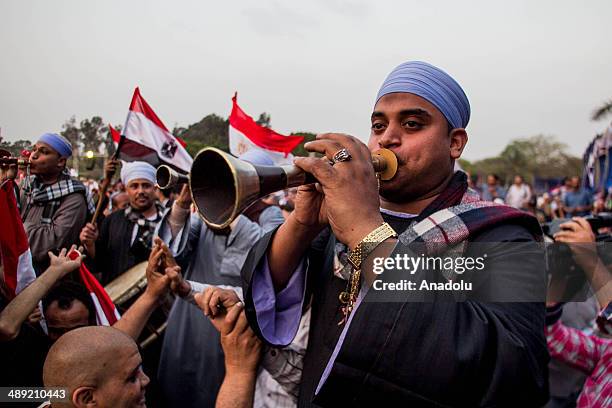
point(273, 311)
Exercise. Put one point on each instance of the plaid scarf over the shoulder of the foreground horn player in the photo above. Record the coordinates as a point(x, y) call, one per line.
point(457, 214)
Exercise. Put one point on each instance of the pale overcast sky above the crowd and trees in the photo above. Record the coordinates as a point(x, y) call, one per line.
point(528, 67)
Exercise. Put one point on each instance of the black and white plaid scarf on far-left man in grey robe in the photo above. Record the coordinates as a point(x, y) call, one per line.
point(50, 195)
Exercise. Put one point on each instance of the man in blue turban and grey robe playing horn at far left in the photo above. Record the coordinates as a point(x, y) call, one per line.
point(53, 205)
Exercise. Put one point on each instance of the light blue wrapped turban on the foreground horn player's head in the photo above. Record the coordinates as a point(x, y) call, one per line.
point(432, 84)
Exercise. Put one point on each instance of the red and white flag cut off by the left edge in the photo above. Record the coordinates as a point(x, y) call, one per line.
point(14, 247)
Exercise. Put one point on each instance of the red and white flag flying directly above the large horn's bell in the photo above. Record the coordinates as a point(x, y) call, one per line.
point(245, 134)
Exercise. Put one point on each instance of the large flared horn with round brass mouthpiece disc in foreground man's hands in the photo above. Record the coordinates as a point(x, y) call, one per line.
point(223, 186)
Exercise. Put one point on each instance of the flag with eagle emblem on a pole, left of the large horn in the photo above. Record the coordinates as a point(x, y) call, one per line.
point(146, 138)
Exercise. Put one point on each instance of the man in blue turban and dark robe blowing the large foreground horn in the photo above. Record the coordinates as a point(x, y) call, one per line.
point(377, 335)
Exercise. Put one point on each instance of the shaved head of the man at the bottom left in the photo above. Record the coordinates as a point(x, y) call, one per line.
point(100, 366)
